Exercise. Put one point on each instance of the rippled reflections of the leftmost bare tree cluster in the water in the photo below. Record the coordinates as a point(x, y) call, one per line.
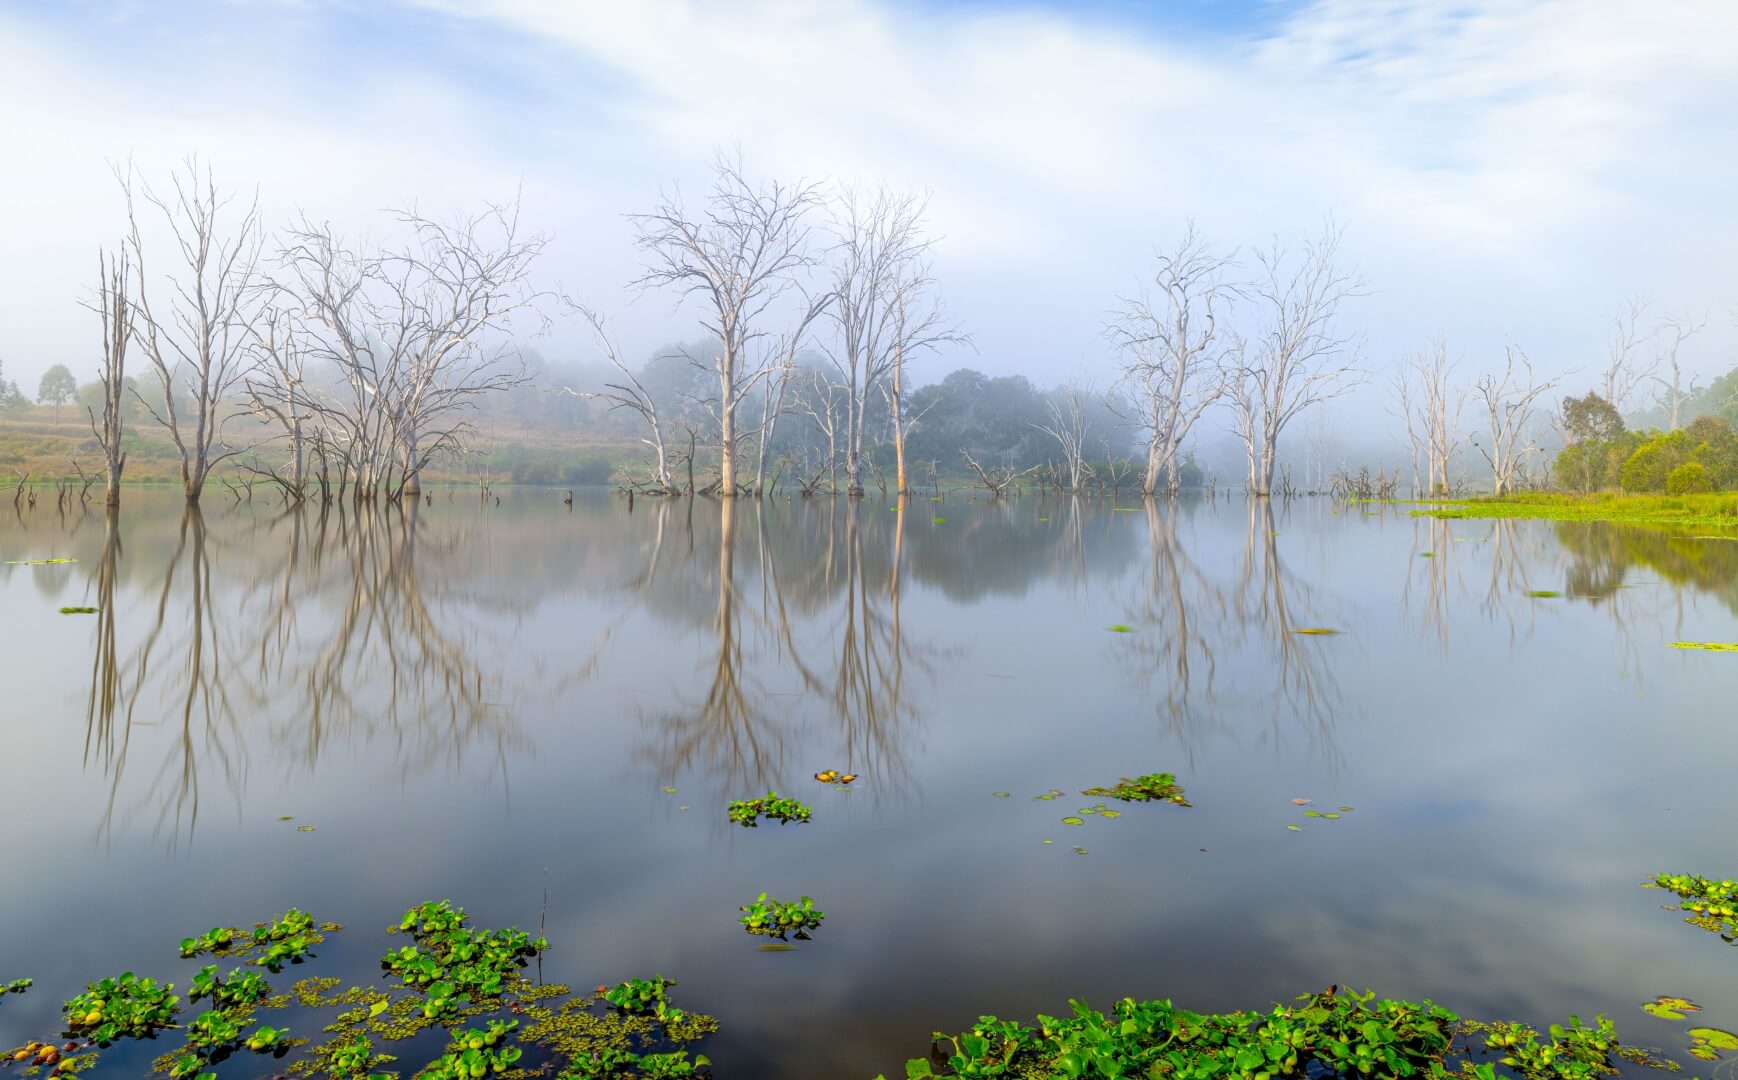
point(347, 643)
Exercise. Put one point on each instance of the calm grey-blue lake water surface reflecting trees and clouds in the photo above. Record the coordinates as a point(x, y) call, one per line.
point(481, 703)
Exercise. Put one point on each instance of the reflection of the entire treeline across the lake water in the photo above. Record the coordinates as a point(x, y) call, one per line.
point(752, 629)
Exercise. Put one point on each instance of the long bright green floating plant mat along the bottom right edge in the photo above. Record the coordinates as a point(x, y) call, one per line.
point(1332, 1034)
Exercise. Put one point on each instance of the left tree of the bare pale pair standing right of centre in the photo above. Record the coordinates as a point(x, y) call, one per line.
point(1176, 359)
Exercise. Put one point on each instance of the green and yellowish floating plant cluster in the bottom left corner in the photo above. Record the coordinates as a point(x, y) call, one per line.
point(454, 978)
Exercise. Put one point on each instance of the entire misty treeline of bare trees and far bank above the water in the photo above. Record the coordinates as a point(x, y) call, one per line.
point(333, 366)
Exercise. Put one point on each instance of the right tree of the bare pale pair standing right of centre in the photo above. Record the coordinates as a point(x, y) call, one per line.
point(1299, 357)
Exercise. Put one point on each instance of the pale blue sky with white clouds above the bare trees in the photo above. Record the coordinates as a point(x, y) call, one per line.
point(1503, 170)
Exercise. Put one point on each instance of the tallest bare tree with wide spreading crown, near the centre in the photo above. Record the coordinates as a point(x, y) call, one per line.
point(740, 257)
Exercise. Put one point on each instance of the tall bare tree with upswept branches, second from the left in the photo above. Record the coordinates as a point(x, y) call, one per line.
point(204, 330)
